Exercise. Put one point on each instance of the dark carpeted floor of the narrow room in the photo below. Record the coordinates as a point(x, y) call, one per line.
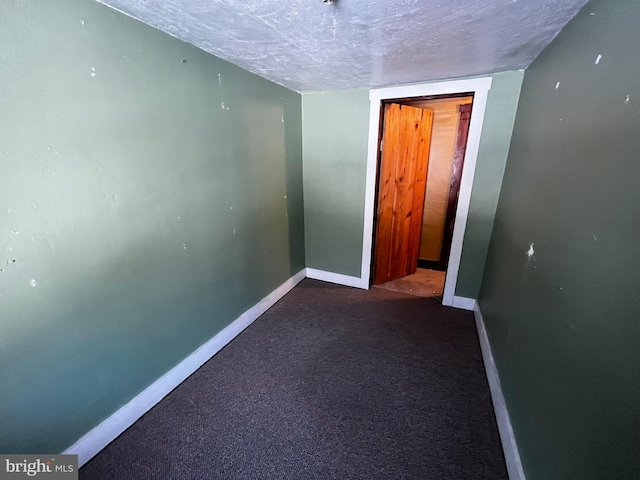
point(330, 383)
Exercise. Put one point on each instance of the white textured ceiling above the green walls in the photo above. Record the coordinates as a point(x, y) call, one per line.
point(308, 46)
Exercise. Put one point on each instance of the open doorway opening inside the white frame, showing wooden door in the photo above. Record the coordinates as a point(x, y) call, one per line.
point(422, 146)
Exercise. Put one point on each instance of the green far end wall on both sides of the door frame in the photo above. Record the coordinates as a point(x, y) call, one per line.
point(335, 136)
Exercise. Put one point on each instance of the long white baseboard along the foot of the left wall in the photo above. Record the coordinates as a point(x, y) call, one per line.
point(103, 434)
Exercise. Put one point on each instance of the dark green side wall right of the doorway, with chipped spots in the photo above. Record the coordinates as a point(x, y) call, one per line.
point(564, 324)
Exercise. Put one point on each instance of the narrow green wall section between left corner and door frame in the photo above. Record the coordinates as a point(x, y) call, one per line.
point(334, 139)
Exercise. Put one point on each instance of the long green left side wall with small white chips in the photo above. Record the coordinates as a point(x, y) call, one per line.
point(149, 194)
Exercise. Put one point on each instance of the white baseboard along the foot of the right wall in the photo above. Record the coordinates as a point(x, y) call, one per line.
point(509, 446)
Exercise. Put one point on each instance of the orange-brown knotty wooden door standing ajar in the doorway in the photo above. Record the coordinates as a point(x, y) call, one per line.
point(406, 141)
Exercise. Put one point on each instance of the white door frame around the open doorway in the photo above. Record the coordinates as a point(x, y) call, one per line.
point(480, 88)
